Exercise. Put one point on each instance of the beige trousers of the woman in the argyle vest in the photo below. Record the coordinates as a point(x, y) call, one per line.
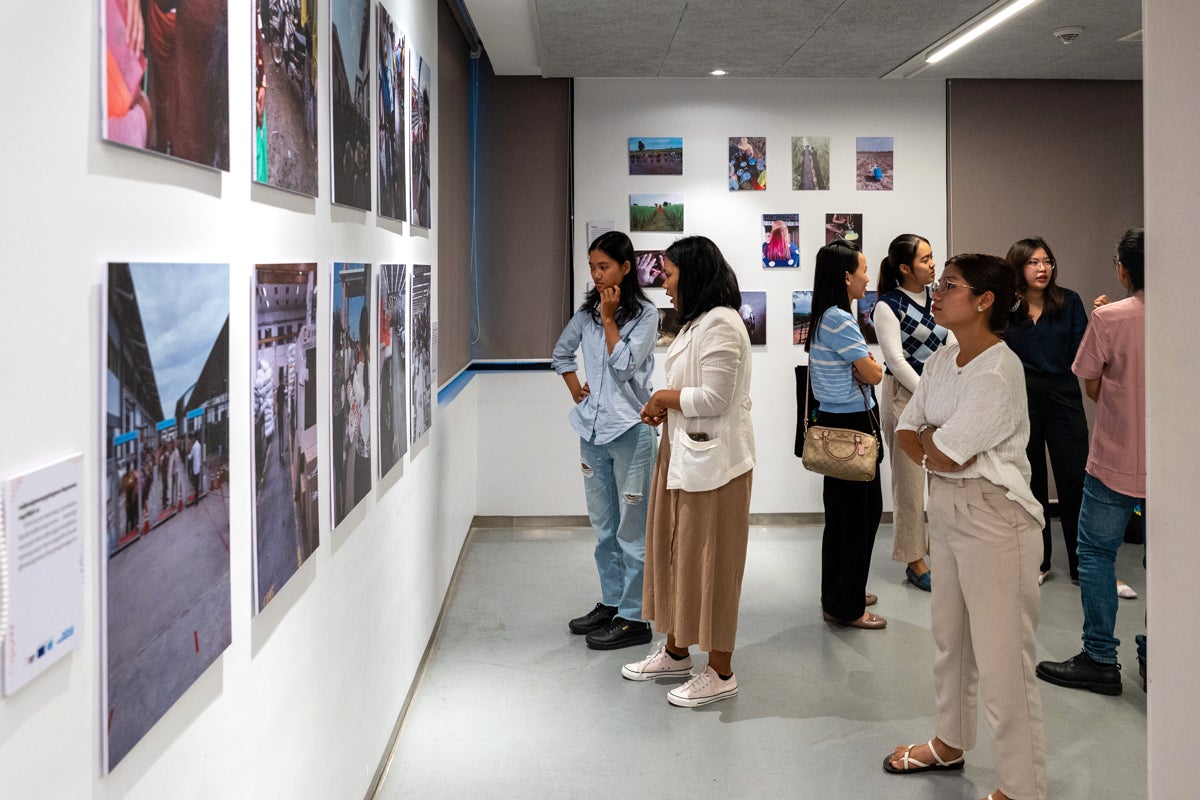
point(908, 479)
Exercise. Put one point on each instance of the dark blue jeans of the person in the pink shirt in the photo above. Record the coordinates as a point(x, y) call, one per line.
point(1102, 522)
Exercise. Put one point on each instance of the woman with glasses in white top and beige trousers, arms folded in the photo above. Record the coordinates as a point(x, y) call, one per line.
point(968, 426)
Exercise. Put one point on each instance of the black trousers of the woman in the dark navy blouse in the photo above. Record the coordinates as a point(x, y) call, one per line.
point(1058, 424)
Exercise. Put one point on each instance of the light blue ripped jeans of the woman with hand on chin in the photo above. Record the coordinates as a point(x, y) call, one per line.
point(617, 486)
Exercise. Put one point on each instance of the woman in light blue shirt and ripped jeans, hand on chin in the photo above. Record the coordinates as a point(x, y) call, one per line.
point(616, 327)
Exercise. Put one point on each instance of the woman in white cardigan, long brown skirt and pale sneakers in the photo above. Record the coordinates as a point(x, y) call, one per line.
point(700, 498)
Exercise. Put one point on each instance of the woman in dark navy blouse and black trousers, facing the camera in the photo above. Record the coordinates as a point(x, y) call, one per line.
point(1046, 333)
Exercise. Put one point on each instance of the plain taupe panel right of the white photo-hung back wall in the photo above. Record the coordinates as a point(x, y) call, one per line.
point(1054, 159)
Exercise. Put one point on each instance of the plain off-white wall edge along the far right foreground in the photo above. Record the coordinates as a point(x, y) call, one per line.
point(1173, 204)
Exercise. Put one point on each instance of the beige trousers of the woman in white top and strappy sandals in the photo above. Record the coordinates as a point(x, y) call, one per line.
point(985, 611)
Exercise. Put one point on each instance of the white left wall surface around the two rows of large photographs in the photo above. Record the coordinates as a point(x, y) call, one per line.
point(303, 702)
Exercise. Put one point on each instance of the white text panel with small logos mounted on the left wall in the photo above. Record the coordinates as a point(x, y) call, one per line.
point(41, 570)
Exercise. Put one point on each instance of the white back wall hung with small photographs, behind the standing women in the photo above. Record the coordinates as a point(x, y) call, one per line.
point(706, 113)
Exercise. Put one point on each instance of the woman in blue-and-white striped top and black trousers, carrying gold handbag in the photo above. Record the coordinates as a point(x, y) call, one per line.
point(839, 368)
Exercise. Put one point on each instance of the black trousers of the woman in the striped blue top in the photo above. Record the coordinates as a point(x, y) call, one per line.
point(853, 519)
